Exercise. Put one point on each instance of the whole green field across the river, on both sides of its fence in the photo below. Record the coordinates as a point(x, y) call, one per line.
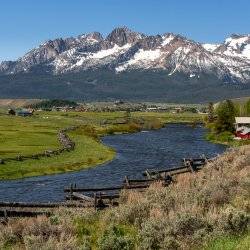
point(31, 135)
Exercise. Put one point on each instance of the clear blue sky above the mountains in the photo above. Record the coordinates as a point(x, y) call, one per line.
point(25, 24)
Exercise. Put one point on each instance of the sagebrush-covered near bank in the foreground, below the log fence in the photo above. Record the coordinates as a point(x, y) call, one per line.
point(206, 210)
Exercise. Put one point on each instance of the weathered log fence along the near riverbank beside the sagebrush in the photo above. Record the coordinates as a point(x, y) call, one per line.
point(102, 197)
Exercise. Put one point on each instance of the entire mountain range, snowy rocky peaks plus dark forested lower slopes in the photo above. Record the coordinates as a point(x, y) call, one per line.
point(132, 66)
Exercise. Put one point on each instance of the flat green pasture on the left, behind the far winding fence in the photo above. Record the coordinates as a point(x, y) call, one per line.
point(26, 136)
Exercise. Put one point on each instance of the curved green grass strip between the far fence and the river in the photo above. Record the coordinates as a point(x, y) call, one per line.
point(88, 152)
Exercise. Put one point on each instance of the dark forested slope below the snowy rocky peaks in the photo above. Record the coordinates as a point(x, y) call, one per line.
point(104, 85)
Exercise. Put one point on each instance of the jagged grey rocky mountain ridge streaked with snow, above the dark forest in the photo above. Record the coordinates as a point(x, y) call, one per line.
point(124, 50)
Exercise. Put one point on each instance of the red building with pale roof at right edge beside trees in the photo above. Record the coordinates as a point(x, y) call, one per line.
point(242, 127)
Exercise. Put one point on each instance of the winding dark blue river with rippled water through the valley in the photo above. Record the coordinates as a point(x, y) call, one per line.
point(156, 149)
